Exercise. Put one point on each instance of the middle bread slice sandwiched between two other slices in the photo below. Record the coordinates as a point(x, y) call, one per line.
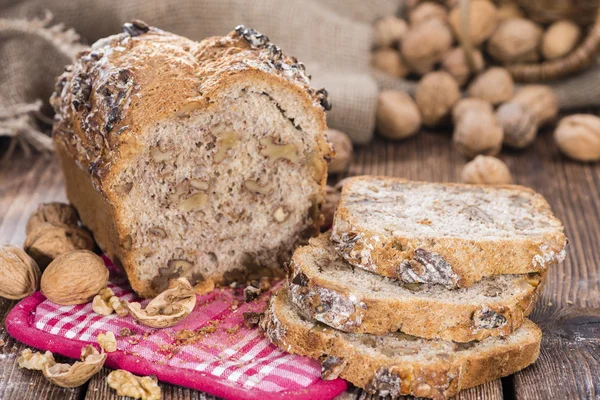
point(326, 288)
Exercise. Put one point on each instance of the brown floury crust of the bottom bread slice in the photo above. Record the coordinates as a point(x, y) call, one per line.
point(440, 377)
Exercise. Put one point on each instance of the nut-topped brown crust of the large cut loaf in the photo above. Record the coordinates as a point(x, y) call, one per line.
point(127, 83)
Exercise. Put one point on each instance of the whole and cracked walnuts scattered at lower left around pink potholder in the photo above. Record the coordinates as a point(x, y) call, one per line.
point(57, 259)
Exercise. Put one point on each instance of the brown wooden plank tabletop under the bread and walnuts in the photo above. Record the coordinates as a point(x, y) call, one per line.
point(568, 311)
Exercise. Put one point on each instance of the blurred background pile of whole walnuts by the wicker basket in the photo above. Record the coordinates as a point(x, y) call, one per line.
point(494, 114)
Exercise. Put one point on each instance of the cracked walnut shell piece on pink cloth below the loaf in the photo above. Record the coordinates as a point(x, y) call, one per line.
point(168, 308)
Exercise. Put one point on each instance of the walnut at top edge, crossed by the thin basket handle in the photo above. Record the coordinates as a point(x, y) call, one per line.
point(482, 22)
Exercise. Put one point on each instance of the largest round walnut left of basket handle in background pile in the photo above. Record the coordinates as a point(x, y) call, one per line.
point(425, 44)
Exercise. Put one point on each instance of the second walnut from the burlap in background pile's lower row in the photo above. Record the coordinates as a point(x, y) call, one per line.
point(435, 95)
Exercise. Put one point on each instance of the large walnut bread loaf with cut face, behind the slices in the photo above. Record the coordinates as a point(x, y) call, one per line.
point(192, 159)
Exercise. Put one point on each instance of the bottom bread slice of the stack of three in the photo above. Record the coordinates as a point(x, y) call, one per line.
point(398, 364)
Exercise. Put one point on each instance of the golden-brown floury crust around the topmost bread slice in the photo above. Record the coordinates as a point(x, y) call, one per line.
point(463, 261)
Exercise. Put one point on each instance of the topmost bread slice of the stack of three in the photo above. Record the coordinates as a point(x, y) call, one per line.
point(450, 234)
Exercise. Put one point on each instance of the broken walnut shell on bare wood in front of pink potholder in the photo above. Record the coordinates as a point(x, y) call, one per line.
point(68, 376)
